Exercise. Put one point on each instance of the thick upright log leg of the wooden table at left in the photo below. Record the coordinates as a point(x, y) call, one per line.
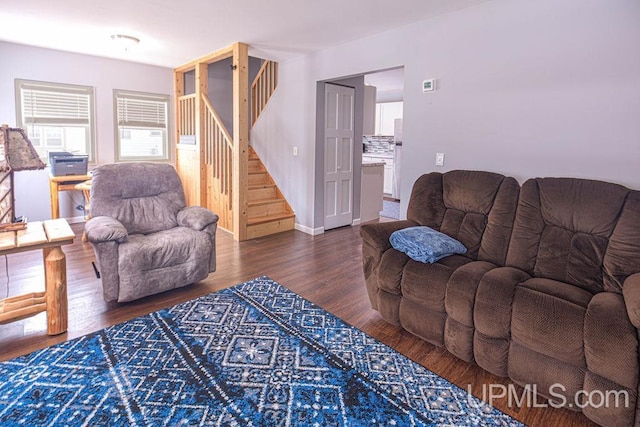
point(55, 273)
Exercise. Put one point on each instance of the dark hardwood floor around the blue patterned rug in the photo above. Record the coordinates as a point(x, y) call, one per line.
point(325, 269)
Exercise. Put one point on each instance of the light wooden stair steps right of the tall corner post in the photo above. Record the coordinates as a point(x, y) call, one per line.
point(268, 211)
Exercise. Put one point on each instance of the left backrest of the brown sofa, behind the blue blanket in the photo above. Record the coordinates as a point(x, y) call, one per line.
point(475, 207)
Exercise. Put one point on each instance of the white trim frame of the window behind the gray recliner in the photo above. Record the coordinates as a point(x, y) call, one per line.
point(119, 93)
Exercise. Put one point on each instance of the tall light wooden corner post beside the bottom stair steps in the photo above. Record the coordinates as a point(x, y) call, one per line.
point(240, 139)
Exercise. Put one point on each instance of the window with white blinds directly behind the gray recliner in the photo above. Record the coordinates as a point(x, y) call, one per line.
point(141, 126)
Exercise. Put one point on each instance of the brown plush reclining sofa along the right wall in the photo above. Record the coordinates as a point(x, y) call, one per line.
point(548, 292)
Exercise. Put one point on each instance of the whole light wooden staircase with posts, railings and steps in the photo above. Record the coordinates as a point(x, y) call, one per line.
point(218, 168)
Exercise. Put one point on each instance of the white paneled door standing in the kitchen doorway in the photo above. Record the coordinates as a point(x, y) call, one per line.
point(338, 156)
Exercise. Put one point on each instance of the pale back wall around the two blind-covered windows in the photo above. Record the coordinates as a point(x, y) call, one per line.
point(31, 63)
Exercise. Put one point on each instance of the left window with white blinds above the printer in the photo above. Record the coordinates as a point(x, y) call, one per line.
point(56, 117)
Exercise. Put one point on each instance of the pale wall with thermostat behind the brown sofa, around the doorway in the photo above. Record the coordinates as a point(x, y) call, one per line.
point(527, 89)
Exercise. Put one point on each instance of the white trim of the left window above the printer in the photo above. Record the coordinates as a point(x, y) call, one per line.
point(21, 84)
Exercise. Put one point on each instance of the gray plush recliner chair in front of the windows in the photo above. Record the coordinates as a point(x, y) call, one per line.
point(145, 239)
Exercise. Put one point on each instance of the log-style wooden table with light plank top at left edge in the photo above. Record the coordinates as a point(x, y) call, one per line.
point(49, 236)
